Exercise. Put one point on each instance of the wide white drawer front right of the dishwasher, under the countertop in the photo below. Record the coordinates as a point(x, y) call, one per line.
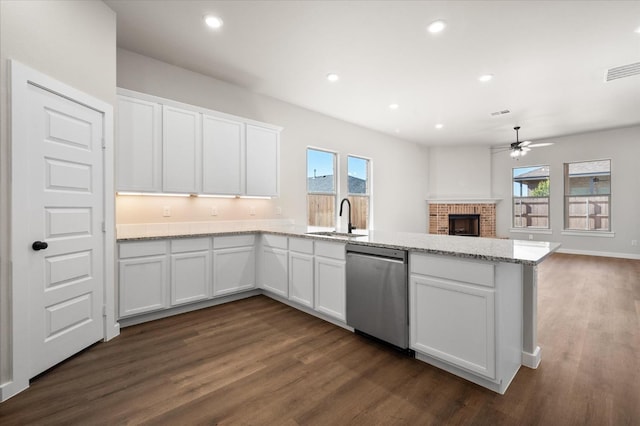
point(453, 268)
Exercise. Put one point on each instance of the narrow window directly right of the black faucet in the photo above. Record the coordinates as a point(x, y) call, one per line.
point(358, 191)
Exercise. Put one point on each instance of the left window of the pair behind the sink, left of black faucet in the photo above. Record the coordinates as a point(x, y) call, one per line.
point(321, 188)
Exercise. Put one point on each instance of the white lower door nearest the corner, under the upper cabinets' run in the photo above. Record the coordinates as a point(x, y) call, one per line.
point(234, 270)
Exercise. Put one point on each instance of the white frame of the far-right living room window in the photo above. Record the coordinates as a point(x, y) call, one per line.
point(567, 196)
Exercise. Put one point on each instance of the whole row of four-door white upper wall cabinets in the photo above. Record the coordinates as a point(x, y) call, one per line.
point(167, 146)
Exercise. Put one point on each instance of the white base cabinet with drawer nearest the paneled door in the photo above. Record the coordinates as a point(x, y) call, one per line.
point(143, 271)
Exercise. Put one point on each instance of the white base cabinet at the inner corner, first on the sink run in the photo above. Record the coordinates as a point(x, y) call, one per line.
point(274, 272)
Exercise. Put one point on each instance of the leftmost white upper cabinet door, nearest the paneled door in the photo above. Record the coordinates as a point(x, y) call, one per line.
point(138, 146)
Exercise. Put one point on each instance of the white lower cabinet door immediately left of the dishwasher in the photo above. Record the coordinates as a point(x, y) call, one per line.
point(330, 287)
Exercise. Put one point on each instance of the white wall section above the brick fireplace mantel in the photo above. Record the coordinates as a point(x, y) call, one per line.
point(459, 172)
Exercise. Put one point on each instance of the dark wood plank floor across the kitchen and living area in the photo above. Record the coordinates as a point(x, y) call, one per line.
point(257, 361)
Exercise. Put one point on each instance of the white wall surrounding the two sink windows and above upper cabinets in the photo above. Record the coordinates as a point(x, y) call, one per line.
point(399, 167)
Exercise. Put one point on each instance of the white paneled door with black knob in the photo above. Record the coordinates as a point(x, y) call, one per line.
point(66, 214)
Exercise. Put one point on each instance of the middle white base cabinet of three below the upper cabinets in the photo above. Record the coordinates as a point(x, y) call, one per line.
point(190, 270)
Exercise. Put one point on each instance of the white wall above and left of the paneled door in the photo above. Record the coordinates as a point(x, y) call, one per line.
point(71, 41)
